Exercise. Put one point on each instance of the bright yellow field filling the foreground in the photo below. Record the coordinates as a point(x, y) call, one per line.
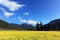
point(29, 35)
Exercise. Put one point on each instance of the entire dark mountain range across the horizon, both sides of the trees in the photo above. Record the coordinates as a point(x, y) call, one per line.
point(51, 26)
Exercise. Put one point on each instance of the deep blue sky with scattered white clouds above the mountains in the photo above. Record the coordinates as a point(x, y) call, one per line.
point(29, 11)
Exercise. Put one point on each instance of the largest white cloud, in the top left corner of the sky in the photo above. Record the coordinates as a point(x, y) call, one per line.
point(12, 5)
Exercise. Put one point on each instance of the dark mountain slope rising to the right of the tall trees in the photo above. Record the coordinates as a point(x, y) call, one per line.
point(52, 25)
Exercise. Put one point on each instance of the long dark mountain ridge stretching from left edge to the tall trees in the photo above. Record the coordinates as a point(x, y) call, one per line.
point(13, 26)
